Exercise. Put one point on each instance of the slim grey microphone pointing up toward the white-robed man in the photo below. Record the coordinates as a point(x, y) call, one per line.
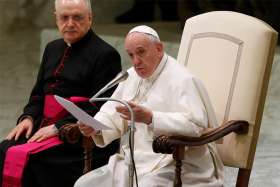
point(122, 76)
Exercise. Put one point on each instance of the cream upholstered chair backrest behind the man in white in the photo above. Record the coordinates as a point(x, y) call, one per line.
point(232, 54)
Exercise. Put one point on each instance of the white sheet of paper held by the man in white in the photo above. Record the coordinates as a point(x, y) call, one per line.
point(80, 115)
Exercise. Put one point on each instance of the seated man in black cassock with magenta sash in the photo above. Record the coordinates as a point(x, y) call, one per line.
point(75, 67)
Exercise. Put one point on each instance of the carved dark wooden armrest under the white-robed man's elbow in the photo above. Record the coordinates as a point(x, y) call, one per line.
point(167, 144)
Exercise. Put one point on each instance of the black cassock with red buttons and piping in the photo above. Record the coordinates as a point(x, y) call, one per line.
point(81, 69)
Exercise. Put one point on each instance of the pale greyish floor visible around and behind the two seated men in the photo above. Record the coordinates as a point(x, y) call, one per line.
point(19, 61)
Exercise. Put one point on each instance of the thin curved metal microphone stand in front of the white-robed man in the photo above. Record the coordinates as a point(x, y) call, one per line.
point(131, 133)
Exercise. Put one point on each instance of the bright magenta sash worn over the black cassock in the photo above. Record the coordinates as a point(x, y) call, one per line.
point(17, 156)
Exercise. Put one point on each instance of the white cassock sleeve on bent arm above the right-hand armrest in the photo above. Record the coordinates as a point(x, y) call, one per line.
point(188, 117)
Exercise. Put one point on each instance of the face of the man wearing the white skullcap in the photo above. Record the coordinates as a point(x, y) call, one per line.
point(145, 54)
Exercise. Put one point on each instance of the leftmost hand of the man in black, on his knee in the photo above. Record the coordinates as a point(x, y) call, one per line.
point(25, 126)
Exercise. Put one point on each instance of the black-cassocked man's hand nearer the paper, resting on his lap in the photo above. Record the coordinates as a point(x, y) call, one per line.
point(44, 133)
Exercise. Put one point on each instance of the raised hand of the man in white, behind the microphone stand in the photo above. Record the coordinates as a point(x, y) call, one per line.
point(141, 114)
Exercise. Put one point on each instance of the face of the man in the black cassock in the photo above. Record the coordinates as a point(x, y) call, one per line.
point(73, 20)
